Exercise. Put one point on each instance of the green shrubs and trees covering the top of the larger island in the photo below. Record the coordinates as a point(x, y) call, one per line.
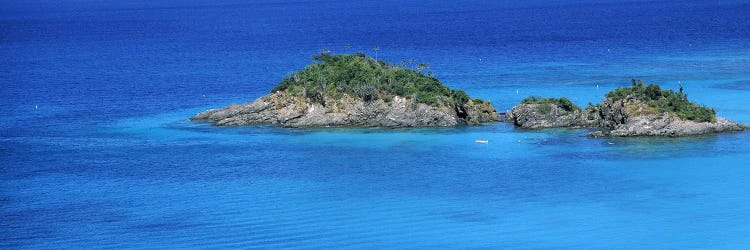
point(369, 79)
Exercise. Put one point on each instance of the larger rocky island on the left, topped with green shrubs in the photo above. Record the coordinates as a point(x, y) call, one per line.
point(357, 91)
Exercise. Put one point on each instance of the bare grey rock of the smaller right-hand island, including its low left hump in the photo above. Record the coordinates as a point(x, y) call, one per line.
point(626, 117)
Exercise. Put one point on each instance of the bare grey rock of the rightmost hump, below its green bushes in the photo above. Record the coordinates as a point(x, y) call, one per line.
point(632, 117)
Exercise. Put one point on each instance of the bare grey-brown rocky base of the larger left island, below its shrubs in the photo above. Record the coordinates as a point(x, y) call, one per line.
point(283, 109)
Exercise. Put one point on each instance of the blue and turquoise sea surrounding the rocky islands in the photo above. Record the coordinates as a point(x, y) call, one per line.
point(96, 150)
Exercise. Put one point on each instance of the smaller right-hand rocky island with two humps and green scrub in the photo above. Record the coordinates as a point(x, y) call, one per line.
point(640, 110)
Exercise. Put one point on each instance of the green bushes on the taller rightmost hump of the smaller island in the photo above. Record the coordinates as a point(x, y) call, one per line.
point(665, 101)
